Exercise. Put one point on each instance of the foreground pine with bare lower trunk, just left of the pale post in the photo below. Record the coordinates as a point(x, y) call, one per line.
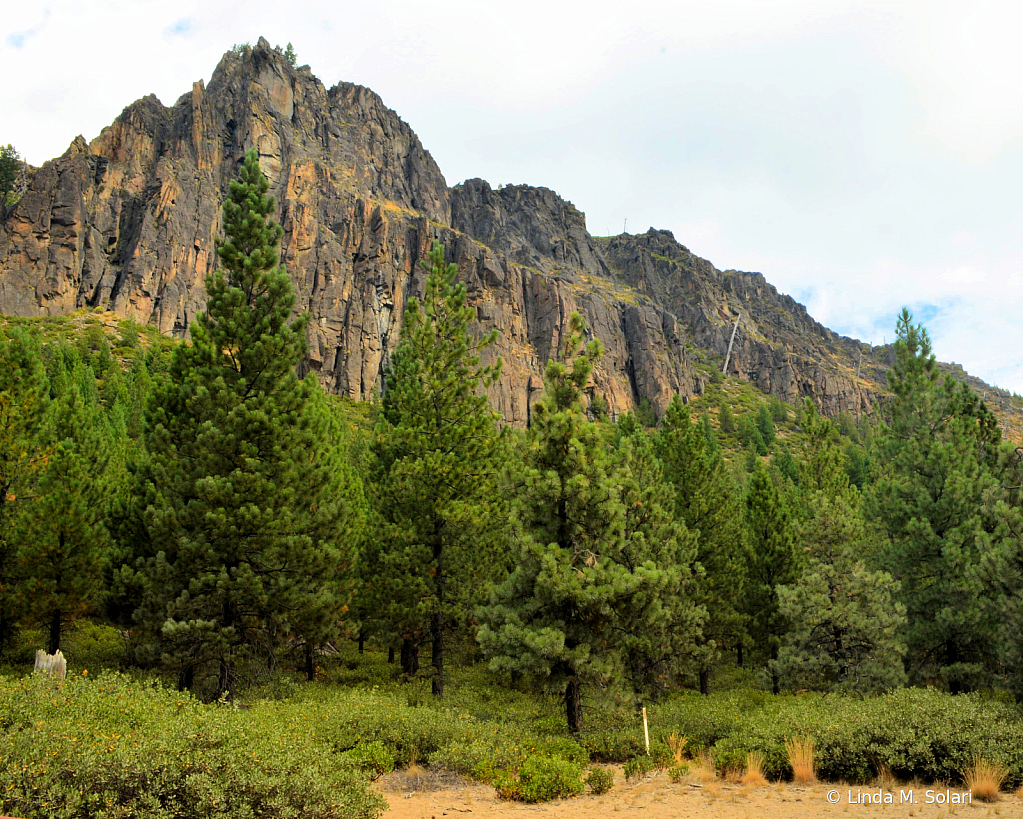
point(555, 617)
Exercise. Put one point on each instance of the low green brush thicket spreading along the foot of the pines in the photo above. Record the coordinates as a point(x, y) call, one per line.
point(117, 746)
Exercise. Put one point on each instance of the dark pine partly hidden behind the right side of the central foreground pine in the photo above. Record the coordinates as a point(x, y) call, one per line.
point(706, 502)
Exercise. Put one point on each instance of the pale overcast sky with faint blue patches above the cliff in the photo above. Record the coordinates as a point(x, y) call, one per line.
point(863, 156)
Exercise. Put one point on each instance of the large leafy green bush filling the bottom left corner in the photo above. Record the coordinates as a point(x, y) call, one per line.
point(119, 748)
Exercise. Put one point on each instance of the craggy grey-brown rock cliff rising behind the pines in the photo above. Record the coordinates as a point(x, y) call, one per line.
point(129, 223)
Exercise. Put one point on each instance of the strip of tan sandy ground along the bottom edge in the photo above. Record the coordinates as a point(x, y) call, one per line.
point(421, 797)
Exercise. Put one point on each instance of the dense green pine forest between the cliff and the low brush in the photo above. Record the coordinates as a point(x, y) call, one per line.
point(228, 516)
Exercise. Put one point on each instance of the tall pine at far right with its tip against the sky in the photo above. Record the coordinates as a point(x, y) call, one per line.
point(933, 477)
